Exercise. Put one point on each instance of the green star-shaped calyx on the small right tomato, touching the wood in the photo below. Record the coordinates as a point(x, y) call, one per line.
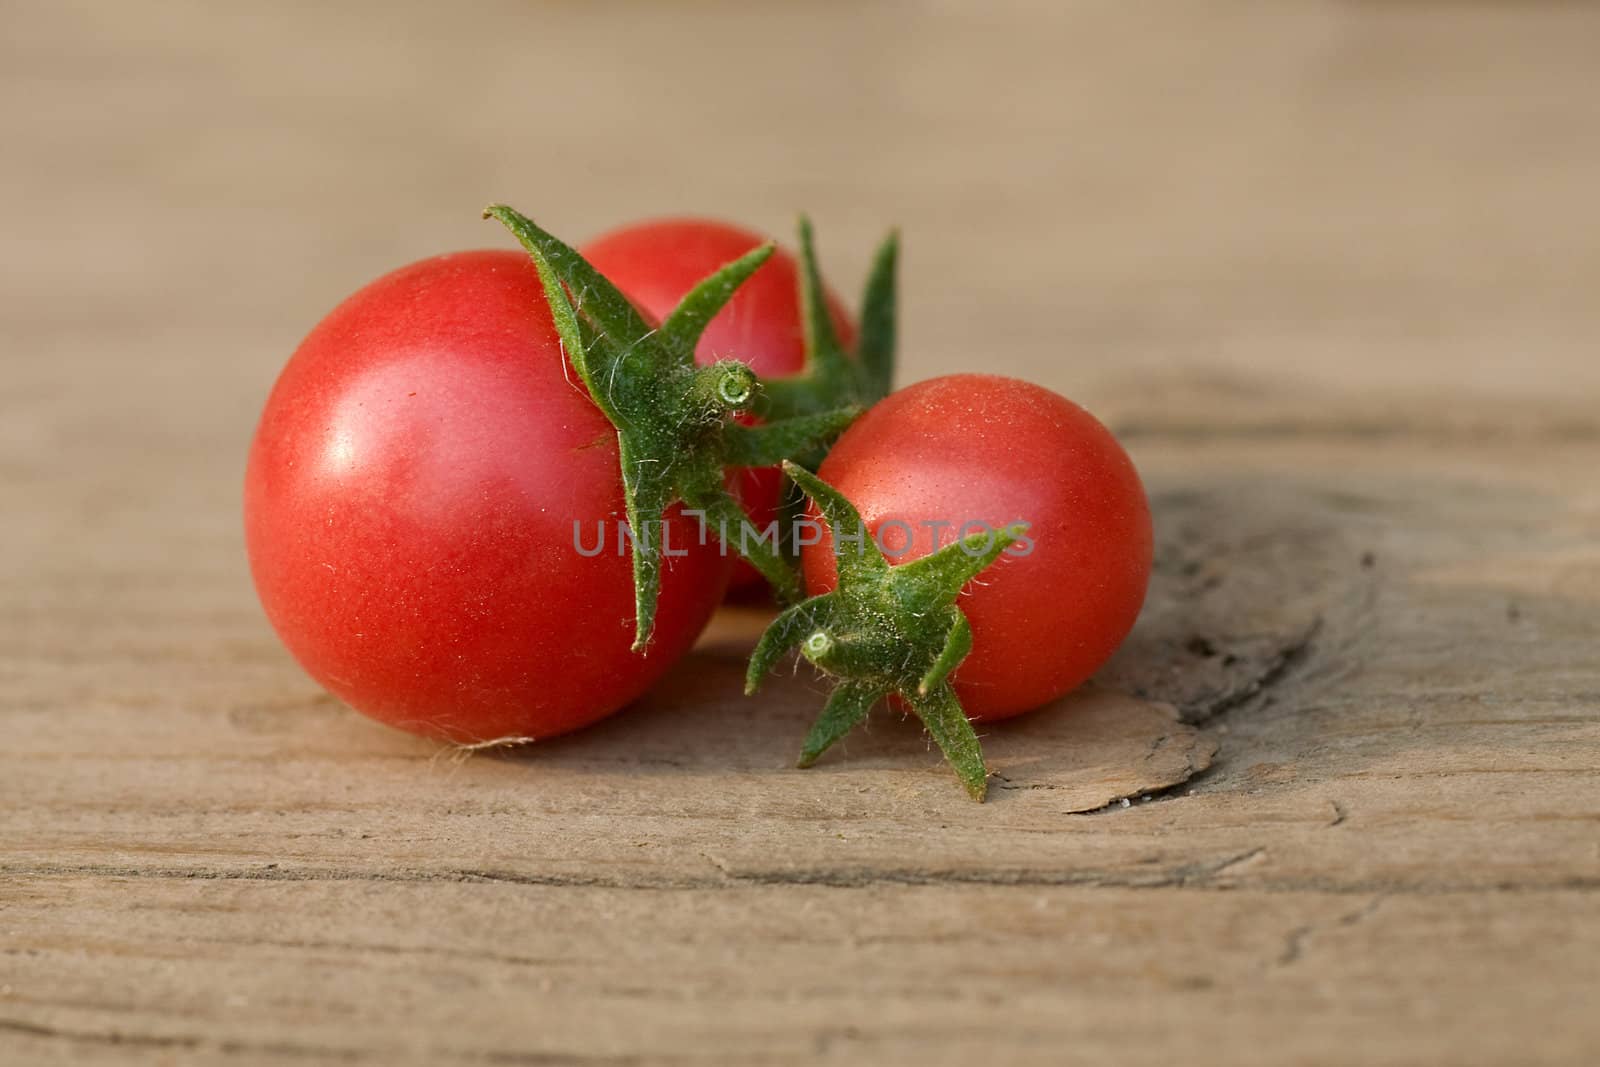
point(886, 631)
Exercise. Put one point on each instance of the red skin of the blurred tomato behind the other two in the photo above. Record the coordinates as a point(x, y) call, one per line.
point(658, 263)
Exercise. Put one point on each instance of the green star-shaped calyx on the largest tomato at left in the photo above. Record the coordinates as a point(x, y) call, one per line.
point(674, 420)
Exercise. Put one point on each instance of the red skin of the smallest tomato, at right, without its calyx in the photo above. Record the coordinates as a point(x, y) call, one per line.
point(996, 450)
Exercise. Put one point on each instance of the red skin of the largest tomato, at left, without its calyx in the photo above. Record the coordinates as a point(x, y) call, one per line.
point(409, 511)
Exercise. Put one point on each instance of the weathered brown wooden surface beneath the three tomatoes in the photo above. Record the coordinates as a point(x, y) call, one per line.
point(1327, 268)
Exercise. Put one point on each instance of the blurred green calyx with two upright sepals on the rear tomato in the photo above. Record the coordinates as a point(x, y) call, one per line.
point(836, 377)
